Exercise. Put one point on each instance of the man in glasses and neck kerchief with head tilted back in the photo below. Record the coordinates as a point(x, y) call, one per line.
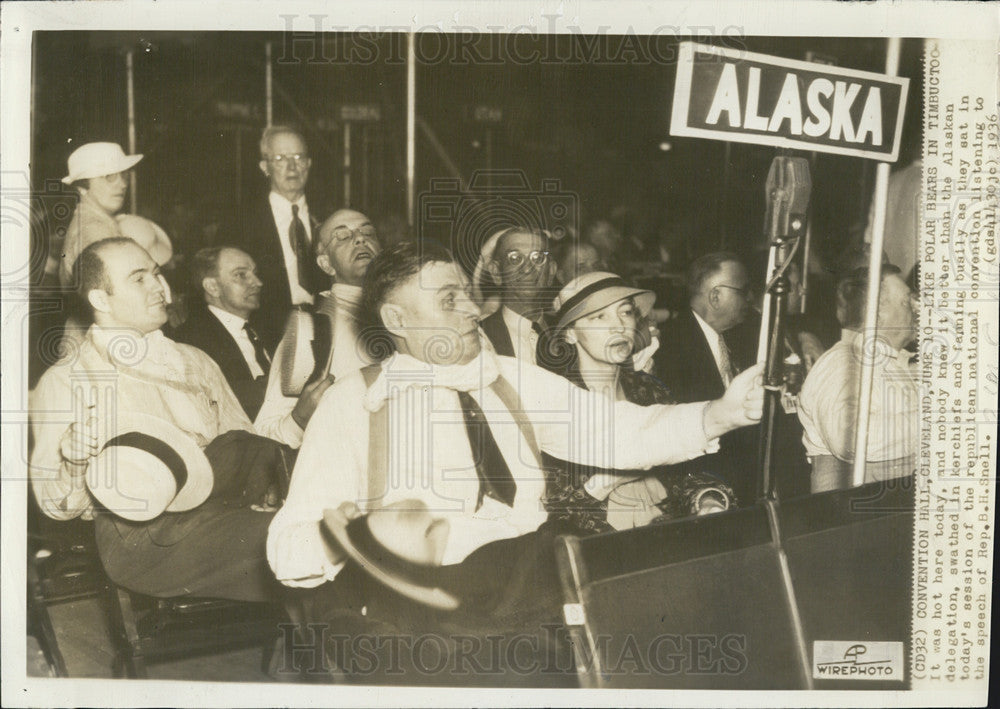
point(321, 346)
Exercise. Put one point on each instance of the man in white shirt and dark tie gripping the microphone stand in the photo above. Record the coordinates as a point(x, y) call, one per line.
point(445, 421)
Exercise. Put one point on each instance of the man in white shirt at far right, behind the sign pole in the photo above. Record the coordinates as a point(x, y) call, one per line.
point(828, 402)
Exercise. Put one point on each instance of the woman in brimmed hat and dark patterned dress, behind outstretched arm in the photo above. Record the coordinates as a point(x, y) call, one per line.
point(592, 342)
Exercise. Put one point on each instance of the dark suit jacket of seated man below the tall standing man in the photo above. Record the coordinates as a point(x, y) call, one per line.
point(204, 331)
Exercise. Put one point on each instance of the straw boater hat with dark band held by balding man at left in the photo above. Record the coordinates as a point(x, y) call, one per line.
point(148, 467)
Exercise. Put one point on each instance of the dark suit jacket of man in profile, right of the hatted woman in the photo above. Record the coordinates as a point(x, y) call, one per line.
point(685, 364)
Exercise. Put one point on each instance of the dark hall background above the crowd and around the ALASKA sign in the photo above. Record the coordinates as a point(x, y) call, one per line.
point(588, 112)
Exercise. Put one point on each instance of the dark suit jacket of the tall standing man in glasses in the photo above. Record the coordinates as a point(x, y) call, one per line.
point(256, 233)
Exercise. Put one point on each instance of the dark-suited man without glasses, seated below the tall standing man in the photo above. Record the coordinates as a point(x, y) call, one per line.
point(227, 279)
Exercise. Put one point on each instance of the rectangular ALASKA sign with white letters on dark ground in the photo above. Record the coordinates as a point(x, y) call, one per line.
point(724, 94)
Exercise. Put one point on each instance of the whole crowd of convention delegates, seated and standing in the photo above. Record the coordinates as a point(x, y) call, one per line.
point(292, 320)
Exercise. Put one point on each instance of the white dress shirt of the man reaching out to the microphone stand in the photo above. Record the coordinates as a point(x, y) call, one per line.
point(430, 458)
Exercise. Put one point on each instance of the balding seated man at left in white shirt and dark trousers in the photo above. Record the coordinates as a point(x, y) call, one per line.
point(126, 368)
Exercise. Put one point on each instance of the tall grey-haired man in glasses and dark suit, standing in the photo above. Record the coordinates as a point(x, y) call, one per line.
point(278, 234)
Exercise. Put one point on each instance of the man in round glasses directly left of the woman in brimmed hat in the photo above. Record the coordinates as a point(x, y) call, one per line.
point(522, 266)
